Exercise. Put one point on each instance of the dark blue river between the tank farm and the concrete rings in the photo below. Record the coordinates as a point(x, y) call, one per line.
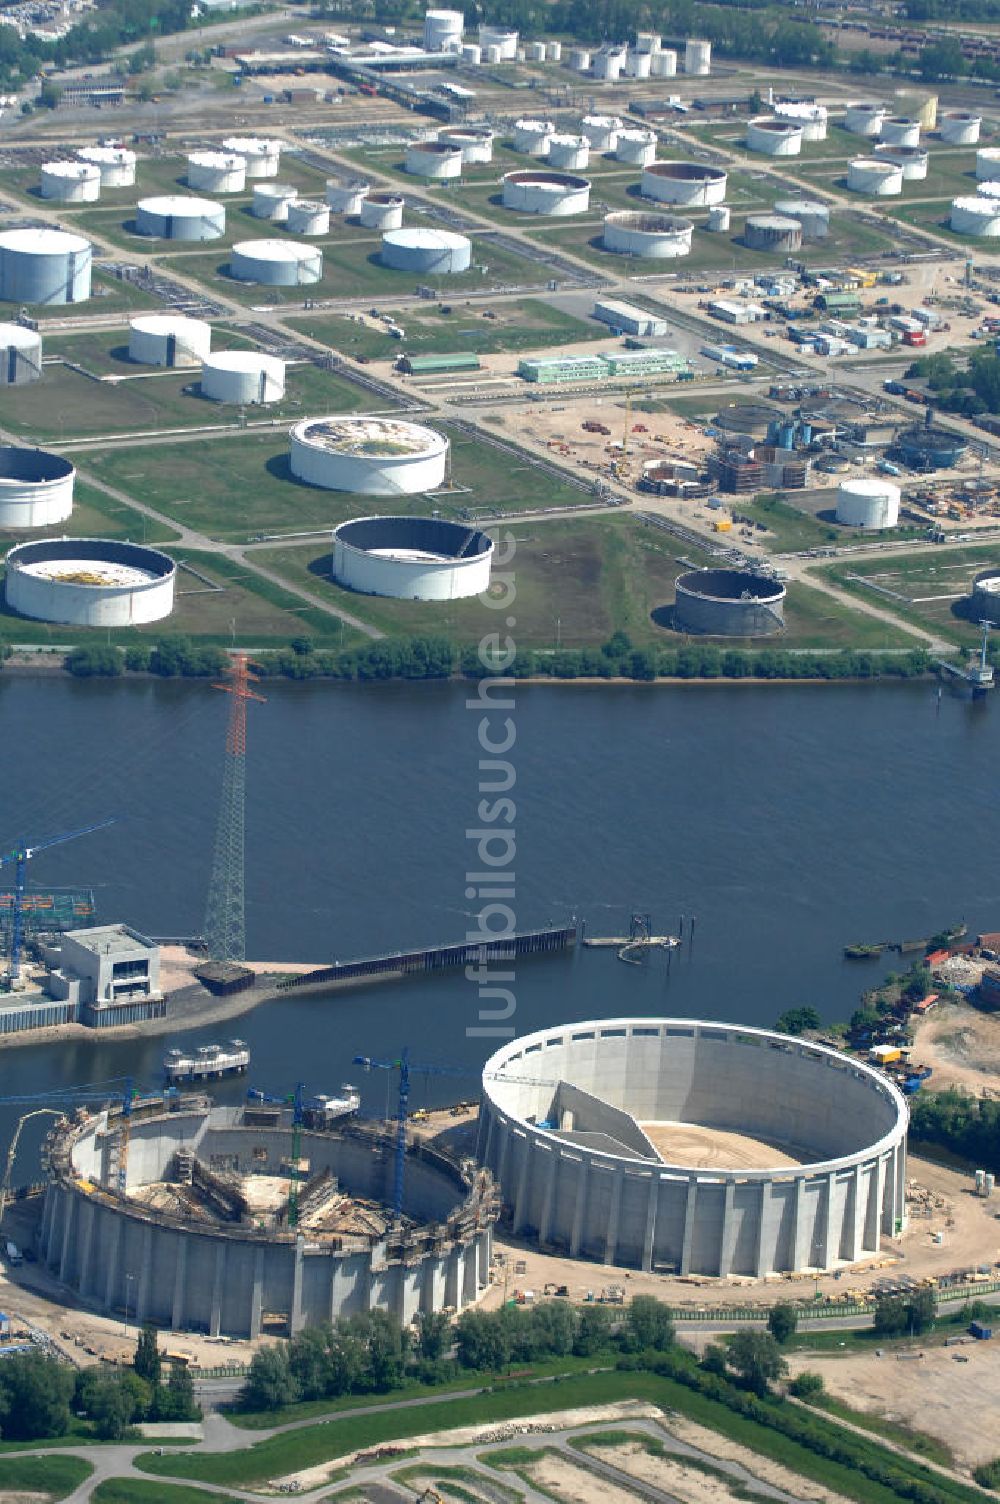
point(787, 819)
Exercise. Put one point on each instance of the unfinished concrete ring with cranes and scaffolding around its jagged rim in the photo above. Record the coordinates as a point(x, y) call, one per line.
point(205, 1236)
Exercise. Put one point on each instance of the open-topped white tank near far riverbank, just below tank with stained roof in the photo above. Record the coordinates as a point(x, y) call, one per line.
point(413, 559)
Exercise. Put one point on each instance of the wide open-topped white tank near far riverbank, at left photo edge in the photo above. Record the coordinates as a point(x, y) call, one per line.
point(91, 583)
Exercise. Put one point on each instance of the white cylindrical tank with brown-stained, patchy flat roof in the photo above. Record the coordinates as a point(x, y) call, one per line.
point(374, 456)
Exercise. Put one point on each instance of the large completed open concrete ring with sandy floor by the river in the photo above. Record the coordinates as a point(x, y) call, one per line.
point(694, 1148)
